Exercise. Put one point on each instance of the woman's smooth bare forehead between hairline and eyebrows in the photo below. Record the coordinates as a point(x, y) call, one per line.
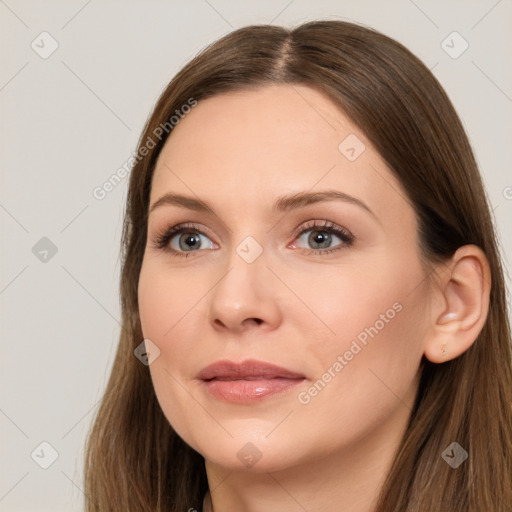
point(238, 150)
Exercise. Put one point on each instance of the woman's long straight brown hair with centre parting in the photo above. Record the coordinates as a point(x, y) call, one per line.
point(134, 459)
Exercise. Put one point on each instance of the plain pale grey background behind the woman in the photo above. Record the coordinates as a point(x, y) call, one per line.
point(70, 120)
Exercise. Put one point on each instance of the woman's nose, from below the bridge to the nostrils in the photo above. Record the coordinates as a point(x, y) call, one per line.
point(245, 297)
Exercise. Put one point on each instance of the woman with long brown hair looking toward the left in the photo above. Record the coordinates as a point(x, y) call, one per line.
point(314, 312)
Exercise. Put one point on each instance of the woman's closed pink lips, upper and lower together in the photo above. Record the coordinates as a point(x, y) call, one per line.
point(248, 381)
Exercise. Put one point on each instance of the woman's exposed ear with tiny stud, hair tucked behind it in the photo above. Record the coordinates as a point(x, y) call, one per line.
point(462, 304)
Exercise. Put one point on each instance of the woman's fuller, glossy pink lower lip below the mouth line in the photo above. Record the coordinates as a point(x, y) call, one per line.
point(247, 391)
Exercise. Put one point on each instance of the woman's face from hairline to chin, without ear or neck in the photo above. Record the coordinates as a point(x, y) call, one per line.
point(328, 287)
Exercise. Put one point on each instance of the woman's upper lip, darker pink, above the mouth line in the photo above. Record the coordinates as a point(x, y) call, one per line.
point(248, 368)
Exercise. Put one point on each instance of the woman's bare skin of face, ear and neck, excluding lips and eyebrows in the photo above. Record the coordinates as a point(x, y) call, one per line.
point(239, 152)
